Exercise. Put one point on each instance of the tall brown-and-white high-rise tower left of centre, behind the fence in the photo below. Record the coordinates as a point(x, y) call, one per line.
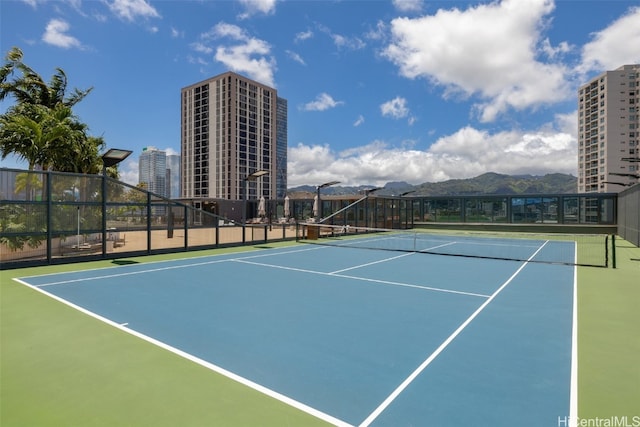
point(231, 127)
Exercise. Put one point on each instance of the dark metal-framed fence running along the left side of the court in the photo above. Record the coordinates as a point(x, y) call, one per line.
point(51, 217)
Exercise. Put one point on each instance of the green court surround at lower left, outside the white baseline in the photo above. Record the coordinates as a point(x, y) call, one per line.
point(60, 367)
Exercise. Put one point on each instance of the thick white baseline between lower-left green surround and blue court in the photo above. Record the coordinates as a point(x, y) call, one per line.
point(244, 381)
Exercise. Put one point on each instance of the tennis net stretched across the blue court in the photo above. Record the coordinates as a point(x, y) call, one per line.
point(555, 248)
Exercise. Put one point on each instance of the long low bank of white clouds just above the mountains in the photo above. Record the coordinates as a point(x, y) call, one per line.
point(467, 153)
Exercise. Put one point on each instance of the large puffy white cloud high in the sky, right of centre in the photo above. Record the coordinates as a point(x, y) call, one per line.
point(489, 51)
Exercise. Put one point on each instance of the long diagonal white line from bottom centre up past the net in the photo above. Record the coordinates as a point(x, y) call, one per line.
point(371, 418)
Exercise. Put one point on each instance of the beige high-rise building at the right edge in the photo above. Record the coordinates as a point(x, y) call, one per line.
point(609, 131)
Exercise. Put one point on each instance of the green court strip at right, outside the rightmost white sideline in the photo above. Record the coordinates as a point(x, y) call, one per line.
point(608, 340)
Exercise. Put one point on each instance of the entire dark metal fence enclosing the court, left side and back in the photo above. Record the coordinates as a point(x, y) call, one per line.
point(52, 217)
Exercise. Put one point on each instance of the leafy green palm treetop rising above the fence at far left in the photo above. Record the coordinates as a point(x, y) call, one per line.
point(41, 128)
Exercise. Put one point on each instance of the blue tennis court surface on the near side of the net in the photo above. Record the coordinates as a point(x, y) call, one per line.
point(354, 336)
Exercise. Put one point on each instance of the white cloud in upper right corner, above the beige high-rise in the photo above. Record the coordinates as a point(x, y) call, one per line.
point(616, 45)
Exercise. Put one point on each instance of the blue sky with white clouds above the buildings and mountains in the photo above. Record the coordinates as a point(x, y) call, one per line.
point(378, 91)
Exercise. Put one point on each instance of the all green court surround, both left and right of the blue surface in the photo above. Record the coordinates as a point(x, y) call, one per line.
point(61, 367)
